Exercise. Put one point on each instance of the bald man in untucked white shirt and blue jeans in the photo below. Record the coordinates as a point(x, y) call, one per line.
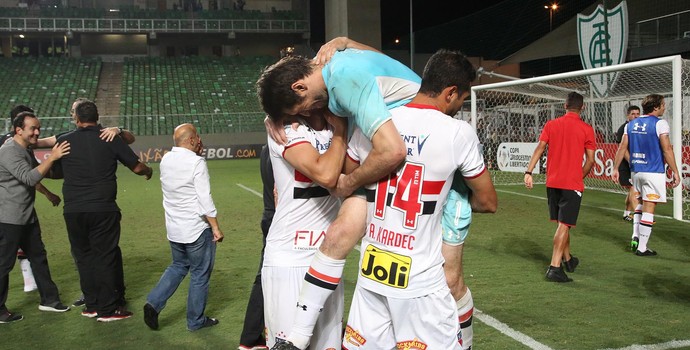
point(190, 219)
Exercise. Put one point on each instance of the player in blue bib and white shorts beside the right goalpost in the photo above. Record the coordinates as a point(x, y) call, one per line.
point(650, 147)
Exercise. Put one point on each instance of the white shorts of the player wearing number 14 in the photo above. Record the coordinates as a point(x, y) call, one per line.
point(379, 322)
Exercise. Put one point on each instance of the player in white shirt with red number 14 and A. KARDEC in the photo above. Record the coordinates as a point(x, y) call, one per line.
point(401, 265)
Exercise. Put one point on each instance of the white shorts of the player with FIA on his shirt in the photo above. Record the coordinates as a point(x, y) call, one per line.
point(281, 287)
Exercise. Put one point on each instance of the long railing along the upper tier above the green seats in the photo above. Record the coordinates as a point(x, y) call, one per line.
point(118, 25)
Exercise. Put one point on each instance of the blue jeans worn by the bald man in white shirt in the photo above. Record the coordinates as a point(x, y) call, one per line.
point(198, 258)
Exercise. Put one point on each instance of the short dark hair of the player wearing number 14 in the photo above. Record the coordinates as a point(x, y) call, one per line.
point(447, 68)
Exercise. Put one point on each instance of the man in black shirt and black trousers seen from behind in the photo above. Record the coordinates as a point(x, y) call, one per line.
point(91, 214)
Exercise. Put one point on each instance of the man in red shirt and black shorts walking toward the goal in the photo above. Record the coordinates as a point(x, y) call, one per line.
point(569, 139)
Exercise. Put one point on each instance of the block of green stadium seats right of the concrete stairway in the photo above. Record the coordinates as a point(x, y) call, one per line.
point(215, 94)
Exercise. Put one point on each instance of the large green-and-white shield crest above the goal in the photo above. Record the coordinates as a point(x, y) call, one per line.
point(603, 44)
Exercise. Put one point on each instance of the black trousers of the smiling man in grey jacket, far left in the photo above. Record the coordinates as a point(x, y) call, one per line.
point(27, 237)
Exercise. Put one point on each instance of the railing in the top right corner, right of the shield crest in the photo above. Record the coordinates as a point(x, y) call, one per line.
point(661, 29)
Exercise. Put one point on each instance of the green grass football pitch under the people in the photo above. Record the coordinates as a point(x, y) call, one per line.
point(617, 299)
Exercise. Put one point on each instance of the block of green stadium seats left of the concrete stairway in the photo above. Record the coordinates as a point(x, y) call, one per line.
point(48, 85)
